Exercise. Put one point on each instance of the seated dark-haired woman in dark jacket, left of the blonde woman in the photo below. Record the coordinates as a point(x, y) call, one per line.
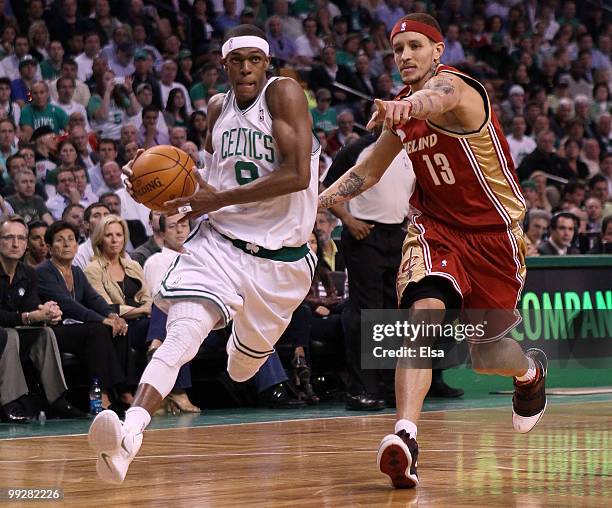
point(97, 335)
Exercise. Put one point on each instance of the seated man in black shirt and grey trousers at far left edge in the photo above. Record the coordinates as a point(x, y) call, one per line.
point(20, 310)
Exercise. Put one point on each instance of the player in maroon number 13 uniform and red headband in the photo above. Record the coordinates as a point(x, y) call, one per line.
point(464, 248)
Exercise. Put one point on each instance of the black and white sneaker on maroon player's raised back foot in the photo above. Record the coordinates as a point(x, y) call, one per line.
point(529, 401)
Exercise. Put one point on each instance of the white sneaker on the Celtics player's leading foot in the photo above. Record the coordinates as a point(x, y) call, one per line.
point(115, 446)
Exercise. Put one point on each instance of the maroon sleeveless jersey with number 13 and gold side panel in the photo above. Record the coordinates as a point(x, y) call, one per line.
point(466, 180)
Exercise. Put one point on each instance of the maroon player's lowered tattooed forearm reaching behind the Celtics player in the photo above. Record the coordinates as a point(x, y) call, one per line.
point(365, 174)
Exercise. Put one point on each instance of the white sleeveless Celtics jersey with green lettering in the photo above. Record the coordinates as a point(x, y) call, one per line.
point(244, 150)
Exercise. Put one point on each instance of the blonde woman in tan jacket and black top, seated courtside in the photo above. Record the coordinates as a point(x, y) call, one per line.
point(120, 281)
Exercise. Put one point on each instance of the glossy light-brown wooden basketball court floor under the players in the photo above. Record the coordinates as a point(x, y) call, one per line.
point(467, 458)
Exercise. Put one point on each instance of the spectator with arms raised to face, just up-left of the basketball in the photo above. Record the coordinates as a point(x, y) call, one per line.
point(111, 105)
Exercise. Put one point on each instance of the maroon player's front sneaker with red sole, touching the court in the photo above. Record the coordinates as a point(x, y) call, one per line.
point(397, 458)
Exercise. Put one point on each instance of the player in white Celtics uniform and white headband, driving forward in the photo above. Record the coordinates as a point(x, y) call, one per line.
point(249, 262)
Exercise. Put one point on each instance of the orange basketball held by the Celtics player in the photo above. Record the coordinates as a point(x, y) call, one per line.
point(162, 173)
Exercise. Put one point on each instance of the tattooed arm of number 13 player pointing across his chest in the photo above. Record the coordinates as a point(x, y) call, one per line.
point(442, 93)
